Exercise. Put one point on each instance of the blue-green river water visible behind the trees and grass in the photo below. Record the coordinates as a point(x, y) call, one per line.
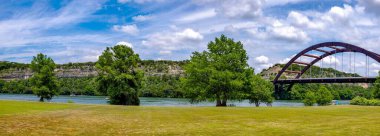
point(148, 101)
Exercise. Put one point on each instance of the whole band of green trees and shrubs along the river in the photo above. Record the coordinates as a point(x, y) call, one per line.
point(220, 74)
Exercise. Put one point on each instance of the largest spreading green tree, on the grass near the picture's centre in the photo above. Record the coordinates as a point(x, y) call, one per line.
point(218, 74)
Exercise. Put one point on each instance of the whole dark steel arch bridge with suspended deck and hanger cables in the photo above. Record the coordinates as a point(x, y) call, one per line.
point(316, 54)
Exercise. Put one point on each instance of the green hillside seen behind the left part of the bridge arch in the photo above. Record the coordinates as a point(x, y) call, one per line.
point(315, 72)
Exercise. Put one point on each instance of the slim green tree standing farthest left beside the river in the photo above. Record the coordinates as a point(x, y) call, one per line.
point(44, 83)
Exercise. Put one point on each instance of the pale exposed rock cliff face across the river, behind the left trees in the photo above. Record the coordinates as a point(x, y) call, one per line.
point(152, 69)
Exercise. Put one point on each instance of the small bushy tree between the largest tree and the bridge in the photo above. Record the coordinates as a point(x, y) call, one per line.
point(261, 91)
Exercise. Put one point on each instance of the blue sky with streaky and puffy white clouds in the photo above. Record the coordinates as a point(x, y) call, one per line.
point(272, 31)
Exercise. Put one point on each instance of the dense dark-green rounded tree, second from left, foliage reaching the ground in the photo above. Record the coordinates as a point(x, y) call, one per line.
point(118, 77)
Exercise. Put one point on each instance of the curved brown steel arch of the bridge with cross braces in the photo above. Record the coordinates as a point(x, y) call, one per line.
point(338, 47)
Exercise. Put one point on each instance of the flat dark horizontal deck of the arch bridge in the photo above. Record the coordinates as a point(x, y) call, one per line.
point(329, 80)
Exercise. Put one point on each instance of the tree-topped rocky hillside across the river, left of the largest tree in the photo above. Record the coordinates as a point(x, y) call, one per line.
point(14, 70)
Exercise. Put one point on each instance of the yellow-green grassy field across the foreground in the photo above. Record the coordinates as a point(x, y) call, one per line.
point(35, 118)
